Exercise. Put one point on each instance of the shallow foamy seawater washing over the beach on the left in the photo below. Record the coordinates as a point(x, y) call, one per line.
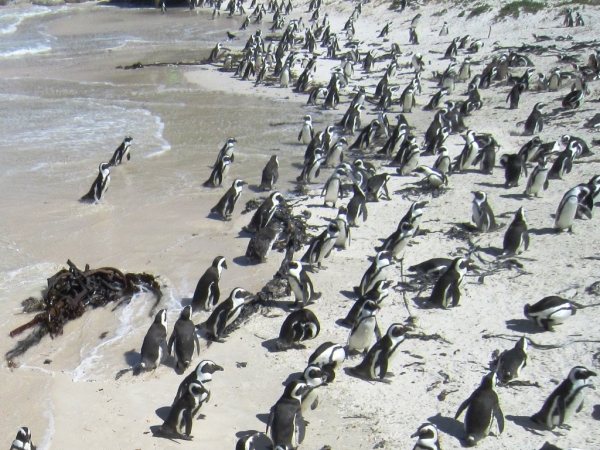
point(64, 109)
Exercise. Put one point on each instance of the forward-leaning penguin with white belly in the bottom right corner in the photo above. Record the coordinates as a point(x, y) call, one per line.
point(567, 399)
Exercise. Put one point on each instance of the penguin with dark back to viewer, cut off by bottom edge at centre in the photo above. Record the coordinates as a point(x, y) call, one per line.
point(285, 420)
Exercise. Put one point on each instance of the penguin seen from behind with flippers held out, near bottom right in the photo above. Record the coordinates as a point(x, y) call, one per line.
point(482, 407)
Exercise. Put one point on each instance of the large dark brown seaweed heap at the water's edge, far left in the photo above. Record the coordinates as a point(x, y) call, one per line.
point(71, 292)
